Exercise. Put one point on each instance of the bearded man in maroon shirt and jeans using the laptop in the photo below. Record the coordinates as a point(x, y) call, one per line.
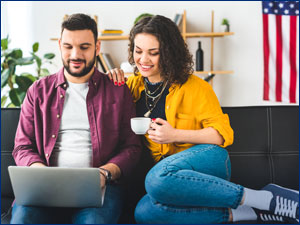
point(77, 118)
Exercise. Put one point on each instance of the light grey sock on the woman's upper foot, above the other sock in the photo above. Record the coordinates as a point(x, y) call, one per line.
point(257, 199)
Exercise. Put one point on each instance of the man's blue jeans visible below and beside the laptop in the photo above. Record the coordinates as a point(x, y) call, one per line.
point(108, 213)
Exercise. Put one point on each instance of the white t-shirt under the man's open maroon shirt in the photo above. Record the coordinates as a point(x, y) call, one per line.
point(73, 147)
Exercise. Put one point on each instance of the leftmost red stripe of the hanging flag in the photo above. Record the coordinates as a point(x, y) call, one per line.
point(266, 56)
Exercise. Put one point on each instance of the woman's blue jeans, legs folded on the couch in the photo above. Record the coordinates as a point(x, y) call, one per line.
point(189, 187)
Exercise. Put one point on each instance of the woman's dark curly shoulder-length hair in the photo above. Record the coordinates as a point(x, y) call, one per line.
point(175, 62)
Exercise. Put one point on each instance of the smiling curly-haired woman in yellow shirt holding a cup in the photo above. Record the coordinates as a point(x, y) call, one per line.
point(190, 182)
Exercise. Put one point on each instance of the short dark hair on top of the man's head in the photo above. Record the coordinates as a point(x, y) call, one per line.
point(80, 21)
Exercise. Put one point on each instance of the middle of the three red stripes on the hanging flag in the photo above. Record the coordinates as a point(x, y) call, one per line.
point(278, 58)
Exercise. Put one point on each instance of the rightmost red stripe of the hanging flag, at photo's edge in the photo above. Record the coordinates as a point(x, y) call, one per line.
point(293, 67)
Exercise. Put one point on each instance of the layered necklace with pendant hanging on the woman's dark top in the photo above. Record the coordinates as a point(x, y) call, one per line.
point(153, 96)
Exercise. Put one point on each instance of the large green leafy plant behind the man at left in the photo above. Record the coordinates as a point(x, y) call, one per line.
point(17, 84)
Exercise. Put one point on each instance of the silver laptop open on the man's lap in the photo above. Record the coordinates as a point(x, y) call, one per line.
point(56, 186)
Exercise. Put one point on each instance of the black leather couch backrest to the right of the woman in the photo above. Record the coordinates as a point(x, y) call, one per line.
point(266, 145)
